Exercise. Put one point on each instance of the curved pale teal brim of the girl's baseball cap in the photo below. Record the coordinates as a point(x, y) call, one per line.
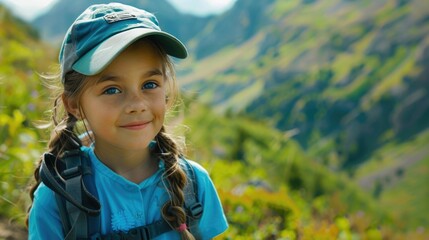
point(94, 61)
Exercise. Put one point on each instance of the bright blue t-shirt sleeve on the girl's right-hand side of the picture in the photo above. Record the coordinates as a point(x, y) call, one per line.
point(213, 221)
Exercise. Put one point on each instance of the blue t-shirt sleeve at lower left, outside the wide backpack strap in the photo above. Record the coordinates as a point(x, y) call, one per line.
point(44, 220)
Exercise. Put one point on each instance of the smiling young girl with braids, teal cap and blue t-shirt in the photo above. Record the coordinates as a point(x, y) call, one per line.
point(118, 82)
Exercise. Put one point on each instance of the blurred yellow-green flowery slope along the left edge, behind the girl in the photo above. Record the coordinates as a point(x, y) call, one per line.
point(22, 57)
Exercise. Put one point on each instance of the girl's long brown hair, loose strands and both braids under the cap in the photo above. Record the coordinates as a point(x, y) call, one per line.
point(64, 137)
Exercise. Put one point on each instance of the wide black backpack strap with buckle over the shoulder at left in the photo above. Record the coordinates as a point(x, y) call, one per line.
point(76, 204)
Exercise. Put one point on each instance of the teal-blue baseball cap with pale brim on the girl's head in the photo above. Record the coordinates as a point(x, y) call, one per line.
point(103, 31)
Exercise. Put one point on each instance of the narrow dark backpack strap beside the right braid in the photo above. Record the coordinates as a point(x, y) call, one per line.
point(193, 207)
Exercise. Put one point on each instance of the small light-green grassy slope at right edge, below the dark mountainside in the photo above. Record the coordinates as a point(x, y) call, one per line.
point(397, 176)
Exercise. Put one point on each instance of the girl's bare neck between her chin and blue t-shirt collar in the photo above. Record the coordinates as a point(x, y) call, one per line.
point(135, 166)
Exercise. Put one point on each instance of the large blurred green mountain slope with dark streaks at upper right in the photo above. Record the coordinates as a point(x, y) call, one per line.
point(342, 72)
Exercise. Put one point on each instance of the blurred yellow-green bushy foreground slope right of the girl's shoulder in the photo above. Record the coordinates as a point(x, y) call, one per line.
point(272, 189)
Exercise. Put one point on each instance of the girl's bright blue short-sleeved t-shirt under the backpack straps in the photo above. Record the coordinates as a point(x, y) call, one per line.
point(126, 205)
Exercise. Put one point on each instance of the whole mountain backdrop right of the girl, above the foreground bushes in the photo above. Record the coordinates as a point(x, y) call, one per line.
point(348, 80)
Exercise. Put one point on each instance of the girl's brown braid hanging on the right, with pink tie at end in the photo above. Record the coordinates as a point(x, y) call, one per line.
point(173, 211)
